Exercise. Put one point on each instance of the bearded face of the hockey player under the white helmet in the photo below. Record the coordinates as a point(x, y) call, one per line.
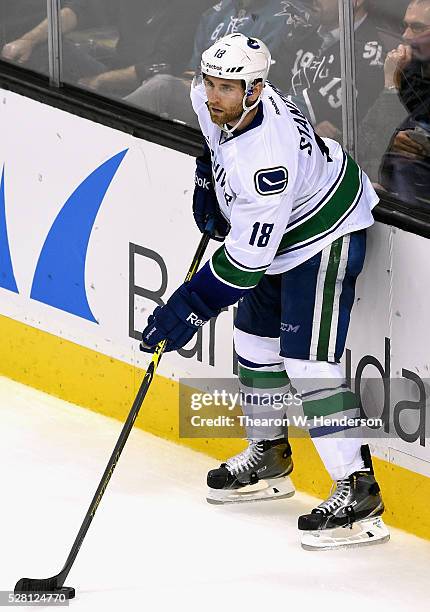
point(225, 98)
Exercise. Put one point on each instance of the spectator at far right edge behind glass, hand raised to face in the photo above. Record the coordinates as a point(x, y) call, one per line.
point(405, 167)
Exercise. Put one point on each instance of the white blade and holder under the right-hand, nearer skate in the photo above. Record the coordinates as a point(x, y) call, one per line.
point(362, 533)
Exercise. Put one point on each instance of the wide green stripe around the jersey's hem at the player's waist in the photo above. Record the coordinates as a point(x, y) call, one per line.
point(333, 210)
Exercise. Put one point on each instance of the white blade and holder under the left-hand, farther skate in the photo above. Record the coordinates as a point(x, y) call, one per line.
point(272, 488)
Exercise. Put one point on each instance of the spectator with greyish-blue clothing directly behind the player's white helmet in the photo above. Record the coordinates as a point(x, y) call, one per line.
point(169, 96)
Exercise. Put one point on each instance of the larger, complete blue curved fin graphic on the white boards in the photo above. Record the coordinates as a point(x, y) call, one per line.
point(59, 280)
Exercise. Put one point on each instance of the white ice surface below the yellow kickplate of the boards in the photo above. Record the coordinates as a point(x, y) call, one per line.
point(155, 544)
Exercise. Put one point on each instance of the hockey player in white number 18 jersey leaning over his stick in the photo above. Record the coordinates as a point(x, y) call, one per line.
point(294, 208)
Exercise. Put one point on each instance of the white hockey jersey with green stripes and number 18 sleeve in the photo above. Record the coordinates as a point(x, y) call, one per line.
point(286, 192)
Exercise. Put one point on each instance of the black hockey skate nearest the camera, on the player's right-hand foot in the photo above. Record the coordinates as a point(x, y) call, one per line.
point(351, 516)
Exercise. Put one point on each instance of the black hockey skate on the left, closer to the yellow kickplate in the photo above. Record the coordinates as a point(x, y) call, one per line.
point(259, 472)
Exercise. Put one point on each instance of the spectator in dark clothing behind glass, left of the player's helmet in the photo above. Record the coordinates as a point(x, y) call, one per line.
point(154, 37)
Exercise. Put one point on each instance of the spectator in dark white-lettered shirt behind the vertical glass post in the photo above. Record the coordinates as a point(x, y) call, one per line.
point(315, 67)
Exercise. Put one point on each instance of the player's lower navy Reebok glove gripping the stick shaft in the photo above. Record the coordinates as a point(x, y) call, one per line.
point(177, 321)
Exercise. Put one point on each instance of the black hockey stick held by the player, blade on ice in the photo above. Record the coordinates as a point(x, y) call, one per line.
point(54, 585)
